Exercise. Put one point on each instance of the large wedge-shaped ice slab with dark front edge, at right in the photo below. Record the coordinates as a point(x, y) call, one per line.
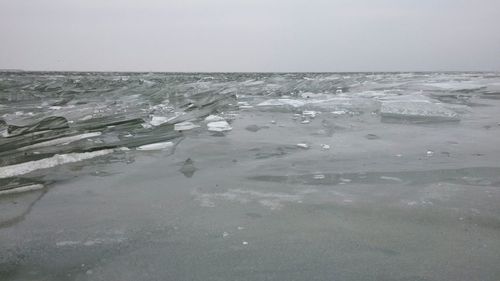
point(417, 110)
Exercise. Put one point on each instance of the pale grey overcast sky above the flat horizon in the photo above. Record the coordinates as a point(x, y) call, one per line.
point(250, 35)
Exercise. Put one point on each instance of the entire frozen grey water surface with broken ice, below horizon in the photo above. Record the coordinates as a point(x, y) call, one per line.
point(385, 176)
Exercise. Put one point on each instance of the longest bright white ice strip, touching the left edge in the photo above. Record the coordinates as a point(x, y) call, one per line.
point(56, 160)
